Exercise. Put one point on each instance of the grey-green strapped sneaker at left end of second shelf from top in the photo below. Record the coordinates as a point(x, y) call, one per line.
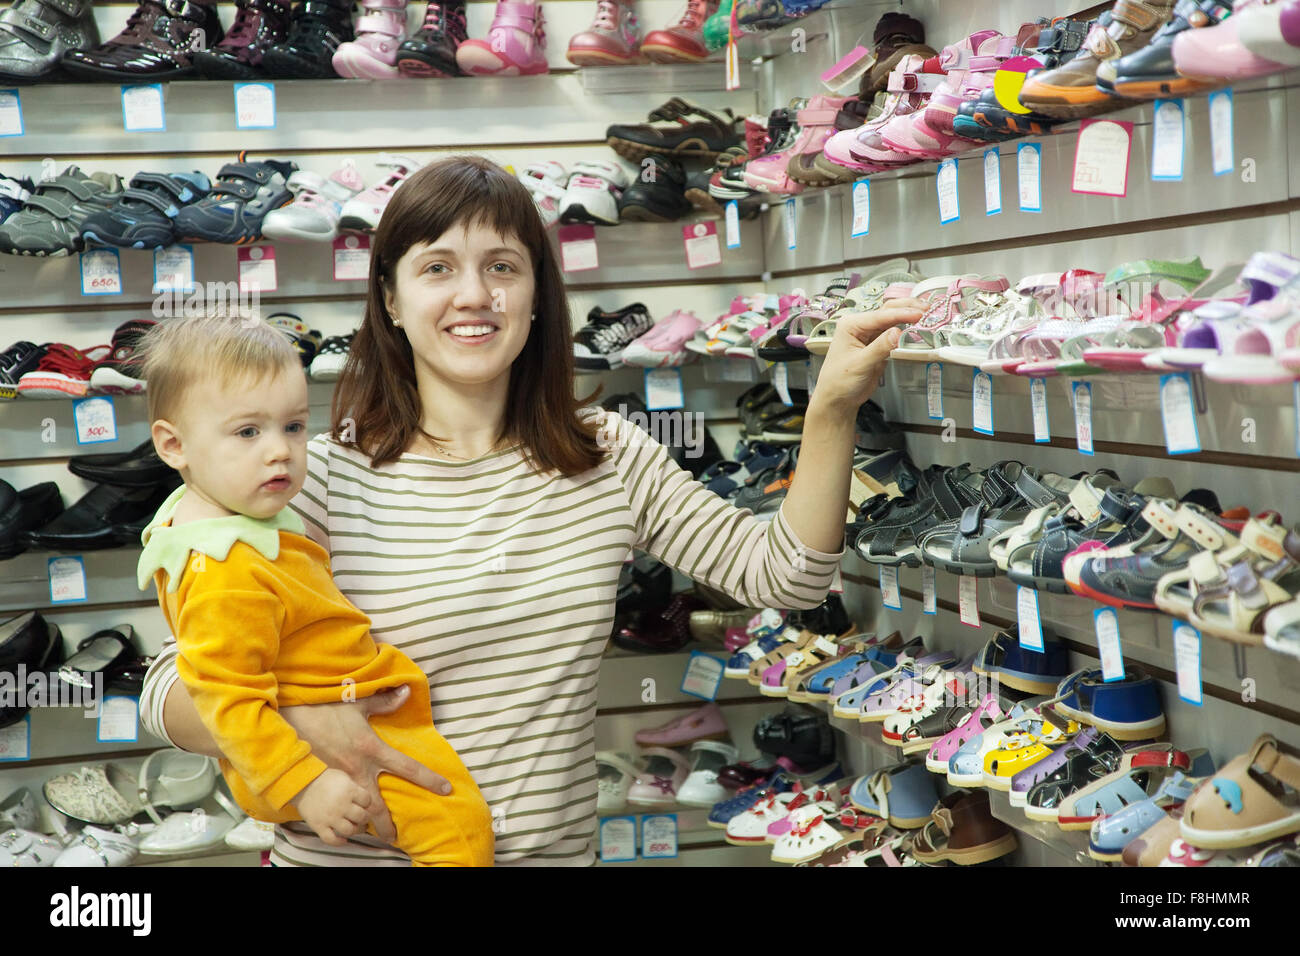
point(51, 222)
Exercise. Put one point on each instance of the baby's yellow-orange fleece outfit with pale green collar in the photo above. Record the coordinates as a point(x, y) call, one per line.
point(261, 625)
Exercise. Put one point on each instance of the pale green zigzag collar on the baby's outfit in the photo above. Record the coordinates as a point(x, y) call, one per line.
point(170, 548)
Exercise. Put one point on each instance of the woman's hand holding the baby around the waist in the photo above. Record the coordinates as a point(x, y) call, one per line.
point(341, 736)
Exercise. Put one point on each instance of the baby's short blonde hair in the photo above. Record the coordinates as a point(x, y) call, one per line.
point(179, 353)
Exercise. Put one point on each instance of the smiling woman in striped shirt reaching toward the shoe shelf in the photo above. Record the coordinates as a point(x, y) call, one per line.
point(482, 517)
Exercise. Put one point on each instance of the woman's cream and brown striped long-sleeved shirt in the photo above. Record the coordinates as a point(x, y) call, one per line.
point(501, 583)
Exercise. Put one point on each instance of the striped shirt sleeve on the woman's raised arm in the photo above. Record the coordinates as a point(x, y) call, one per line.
point(692, 530)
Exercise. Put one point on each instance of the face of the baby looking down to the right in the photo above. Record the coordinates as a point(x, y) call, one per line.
point(246, 443)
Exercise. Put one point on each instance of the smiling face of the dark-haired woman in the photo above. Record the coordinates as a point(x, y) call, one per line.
point(465, 302)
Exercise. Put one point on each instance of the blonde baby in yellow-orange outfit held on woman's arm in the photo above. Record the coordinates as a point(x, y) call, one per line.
point(258, 618)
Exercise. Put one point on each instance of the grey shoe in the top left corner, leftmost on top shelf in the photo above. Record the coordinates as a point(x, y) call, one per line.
point(36, 34)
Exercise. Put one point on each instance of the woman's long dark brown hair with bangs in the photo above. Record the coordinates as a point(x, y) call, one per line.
point(378, 391)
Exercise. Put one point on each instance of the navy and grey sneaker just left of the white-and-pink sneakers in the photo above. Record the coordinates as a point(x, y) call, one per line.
point(240, 200)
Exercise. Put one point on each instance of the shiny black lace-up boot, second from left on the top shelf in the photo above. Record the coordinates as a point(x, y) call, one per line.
point(155, 44)
